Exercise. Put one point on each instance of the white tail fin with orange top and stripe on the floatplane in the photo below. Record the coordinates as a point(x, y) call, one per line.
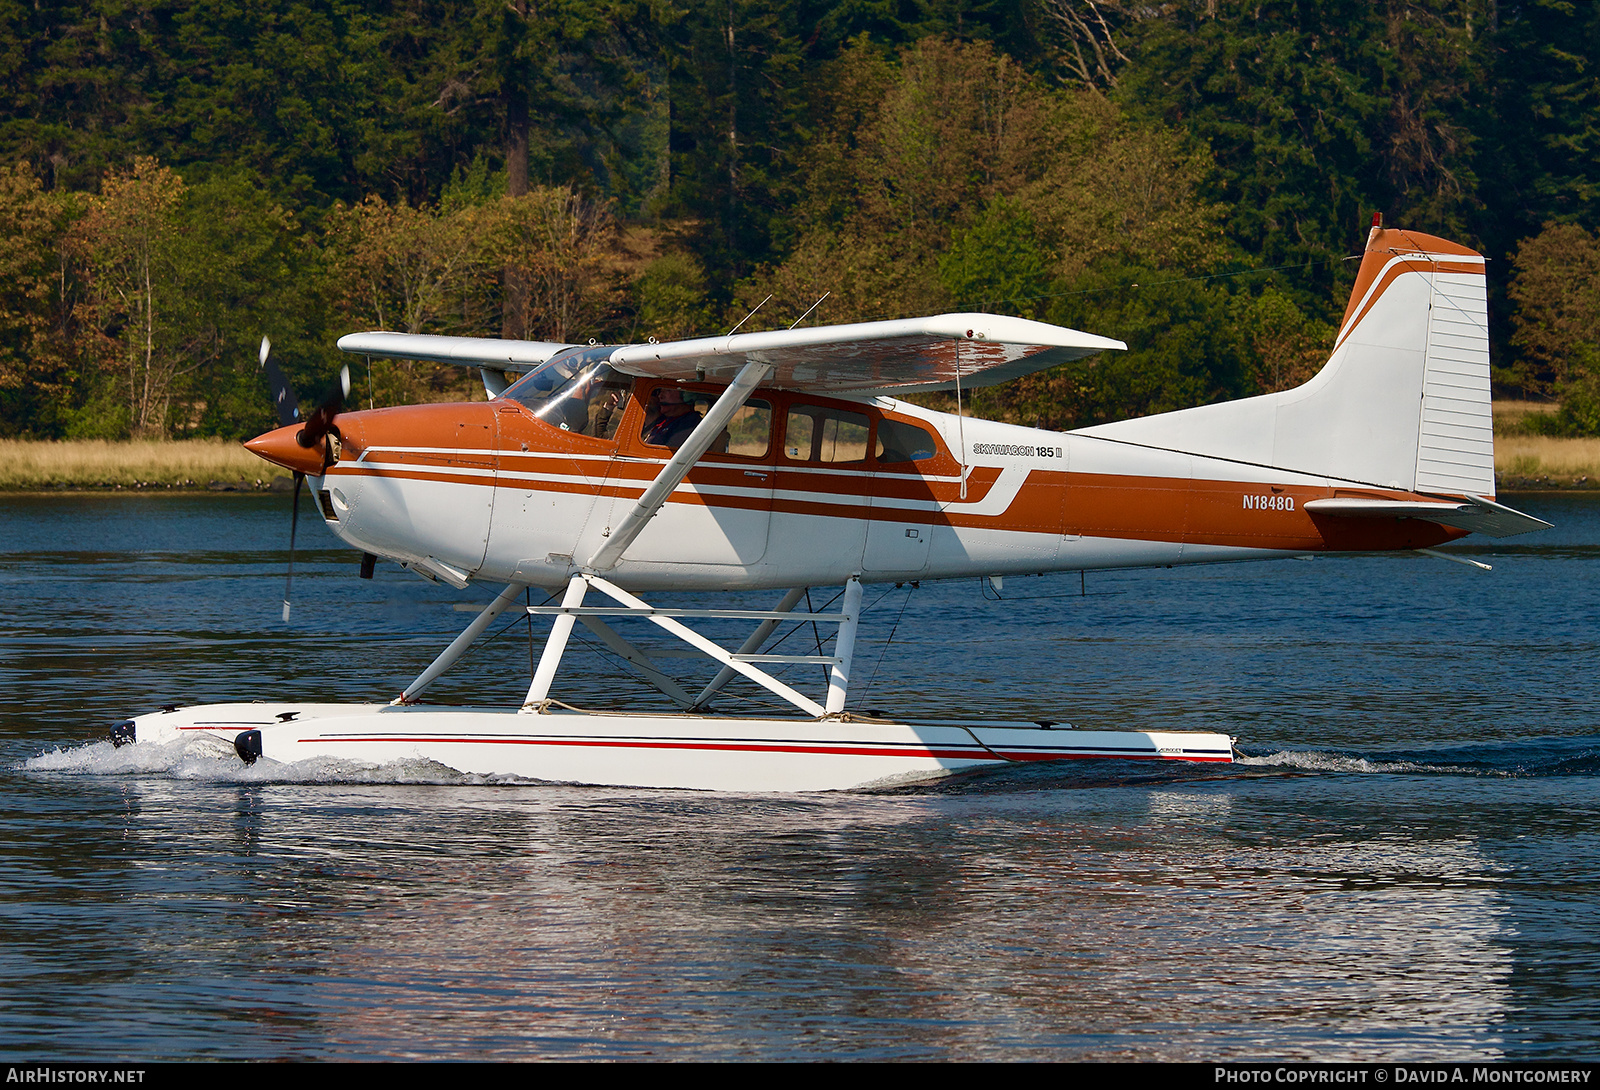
point(1404, 401)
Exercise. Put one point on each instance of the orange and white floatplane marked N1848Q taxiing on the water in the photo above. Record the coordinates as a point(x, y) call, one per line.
point(786, 460)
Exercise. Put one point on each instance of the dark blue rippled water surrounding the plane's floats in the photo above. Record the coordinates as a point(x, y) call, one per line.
point(1407, 868)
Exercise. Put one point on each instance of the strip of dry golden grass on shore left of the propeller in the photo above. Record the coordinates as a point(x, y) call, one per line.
point(191, 463)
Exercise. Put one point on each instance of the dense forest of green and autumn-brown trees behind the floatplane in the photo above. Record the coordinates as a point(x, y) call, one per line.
point(182, 177)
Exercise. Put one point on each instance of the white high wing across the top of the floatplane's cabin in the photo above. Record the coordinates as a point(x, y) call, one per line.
point(863, 359)
